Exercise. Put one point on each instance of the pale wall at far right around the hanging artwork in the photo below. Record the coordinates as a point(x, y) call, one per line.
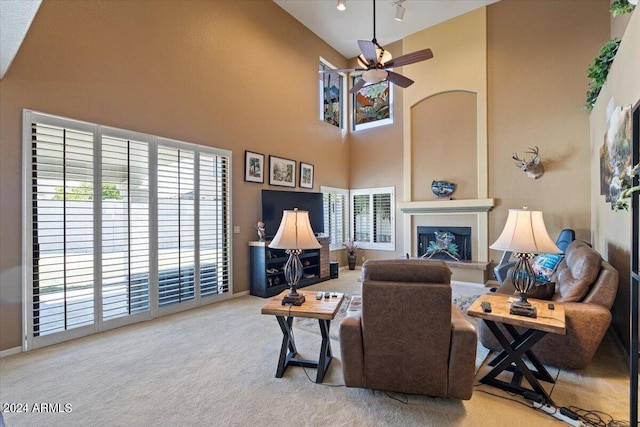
point(611, 229)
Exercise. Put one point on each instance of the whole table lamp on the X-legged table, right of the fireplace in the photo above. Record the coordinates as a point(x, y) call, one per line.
point(525, 235)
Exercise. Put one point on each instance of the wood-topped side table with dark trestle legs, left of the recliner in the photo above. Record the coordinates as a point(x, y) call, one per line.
point(324, 310)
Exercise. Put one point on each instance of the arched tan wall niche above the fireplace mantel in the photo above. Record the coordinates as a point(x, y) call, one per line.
point(444, 144)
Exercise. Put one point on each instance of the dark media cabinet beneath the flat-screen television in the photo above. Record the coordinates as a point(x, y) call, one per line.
point(267, 265)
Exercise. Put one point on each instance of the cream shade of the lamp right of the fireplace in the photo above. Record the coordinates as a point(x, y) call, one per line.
point(524, 233)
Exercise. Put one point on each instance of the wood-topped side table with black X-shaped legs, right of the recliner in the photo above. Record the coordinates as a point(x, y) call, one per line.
point(518, 347)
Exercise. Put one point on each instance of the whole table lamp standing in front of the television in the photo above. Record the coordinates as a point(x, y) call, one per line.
point(294, 235)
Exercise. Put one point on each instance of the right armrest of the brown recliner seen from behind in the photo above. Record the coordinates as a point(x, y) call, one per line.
point(462, 356)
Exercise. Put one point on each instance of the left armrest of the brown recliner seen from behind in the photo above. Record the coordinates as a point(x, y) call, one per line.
point(351, 345)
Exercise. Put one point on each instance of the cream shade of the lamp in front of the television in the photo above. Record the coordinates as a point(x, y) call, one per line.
point(295, 232)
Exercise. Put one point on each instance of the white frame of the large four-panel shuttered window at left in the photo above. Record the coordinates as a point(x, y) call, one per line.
point(32, 340)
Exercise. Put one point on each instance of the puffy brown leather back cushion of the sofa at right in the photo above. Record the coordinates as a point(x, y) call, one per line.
point(577, 271)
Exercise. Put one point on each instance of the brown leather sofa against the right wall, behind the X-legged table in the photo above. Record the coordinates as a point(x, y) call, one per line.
point(586, 286)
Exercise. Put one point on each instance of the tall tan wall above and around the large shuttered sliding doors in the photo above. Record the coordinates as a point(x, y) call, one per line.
point(236, 75)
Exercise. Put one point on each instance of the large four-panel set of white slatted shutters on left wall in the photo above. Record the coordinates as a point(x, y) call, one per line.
point(122, 224)
